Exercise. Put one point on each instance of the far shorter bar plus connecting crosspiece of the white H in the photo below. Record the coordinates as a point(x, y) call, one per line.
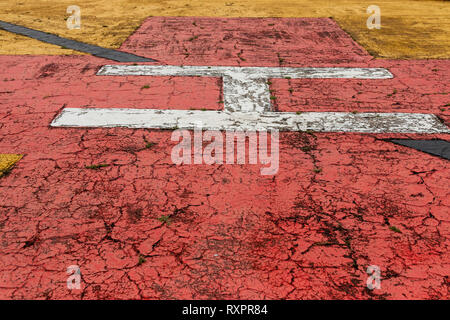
point(245, 88)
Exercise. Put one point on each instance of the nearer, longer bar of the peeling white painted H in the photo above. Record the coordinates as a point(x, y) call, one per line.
point(236, 121)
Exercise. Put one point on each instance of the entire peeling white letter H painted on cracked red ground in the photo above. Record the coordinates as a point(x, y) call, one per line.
point(247, 104)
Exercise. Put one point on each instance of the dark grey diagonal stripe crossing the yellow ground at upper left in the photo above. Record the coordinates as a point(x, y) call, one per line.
point(97, 51)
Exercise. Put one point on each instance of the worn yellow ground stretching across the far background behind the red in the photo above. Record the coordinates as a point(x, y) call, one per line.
point(409, 29)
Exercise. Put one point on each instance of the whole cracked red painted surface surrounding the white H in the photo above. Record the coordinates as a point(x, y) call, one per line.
point(310, 231)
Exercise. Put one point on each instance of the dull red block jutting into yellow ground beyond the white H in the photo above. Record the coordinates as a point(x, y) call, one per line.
point(245, 42)
